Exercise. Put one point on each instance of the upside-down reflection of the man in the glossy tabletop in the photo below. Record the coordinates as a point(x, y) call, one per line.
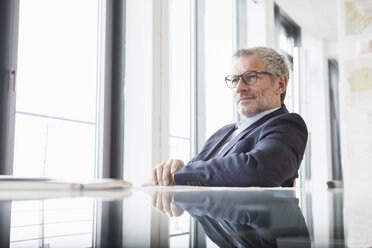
point(241, 218)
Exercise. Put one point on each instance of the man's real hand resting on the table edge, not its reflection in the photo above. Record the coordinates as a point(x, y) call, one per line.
point(162, 175)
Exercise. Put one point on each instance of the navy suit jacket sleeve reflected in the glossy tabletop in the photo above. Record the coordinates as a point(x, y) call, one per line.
point(271, 214)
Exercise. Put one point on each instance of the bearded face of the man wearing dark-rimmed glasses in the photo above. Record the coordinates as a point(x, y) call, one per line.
point(259, 97)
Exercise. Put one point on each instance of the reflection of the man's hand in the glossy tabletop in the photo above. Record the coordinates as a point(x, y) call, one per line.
point(163, 201)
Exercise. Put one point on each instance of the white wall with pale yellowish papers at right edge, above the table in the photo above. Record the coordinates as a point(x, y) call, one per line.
point(355, 105)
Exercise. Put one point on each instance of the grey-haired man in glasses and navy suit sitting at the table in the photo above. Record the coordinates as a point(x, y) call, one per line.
point(265, 149)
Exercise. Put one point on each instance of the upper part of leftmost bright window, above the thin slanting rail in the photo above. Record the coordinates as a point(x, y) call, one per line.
point(57, 52)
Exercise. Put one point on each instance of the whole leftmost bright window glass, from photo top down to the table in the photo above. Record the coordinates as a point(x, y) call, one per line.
point(56, 91)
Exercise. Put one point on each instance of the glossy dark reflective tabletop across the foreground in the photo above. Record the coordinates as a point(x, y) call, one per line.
point(186, 217)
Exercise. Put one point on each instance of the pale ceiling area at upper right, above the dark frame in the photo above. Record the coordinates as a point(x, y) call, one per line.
point(318, 17)
